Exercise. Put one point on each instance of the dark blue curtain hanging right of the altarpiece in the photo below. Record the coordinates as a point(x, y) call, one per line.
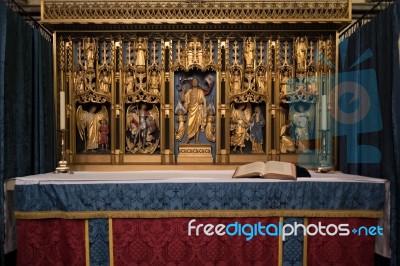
point(369, 107)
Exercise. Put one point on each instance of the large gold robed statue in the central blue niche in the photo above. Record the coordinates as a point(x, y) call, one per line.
point(194, 101)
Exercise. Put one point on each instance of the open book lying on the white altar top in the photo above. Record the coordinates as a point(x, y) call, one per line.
point(270, 169)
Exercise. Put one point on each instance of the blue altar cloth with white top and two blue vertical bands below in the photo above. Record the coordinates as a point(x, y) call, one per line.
point(100, 196)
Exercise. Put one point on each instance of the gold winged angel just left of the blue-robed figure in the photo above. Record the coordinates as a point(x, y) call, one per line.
point(240, 123)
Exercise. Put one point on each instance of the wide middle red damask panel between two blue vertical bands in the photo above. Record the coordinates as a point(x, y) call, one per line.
point(166, 242)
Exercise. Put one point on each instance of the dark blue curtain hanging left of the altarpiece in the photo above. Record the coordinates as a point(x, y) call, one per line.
point(27, 129)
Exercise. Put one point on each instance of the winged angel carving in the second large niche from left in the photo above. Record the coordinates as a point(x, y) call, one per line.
point(142, 129)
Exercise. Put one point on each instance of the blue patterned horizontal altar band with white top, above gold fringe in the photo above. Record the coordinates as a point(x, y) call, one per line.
point(194, 191)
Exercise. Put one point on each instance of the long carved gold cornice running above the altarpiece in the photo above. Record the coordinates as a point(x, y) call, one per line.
point(195, 11)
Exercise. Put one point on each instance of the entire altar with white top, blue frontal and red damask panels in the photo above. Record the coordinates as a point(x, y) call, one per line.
point(165, 217)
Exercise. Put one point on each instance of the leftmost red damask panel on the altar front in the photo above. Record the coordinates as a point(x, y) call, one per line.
point(51, 242)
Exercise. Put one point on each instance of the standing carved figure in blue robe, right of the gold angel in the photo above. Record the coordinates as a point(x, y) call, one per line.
point(256, 130)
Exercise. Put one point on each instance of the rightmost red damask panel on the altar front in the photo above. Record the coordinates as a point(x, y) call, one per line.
point(349, 250)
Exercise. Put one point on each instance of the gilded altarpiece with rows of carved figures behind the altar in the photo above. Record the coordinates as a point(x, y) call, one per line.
point(198, 97)
